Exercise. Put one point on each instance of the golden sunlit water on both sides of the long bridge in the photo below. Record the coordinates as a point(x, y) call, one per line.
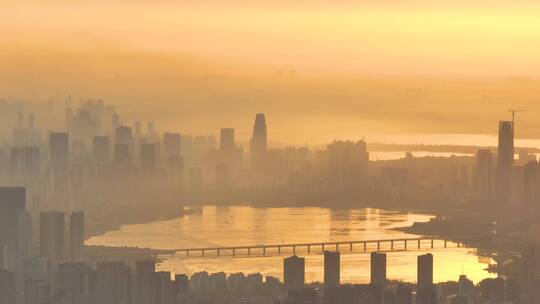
point(243, 225)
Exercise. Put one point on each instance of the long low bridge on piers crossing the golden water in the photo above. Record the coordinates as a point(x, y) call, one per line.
point(364, 246)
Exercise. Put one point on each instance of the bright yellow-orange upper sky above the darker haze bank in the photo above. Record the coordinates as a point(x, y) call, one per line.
point(330, 36)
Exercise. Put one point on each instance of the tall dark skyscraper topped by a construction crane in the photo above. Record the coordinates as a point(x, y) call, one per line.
point(505, 161)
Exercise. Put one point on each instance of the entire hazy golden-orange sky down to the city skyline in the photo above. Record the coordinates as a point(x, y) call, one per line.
point(201, 65)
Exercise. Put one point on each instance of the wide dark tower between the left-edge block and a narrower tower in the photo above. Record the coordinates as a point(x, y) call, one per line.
point(51, 240)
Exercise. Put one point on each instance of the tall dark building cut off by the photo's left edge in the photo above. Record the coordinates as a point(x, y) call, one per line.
point(12, 205)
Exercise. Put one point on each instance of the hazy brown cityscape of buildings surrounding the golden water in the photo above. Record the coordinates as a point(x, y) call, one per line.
point(101, 171)
